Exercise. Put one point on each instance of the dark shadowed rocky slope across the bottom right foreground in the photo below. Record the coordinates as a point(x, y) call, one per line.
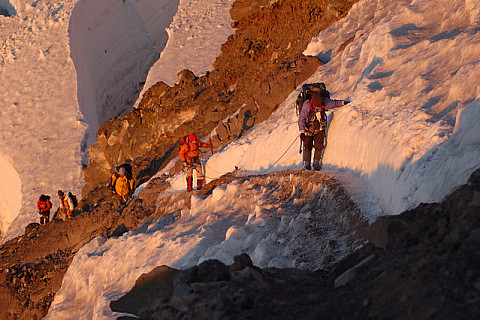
point(422, 264)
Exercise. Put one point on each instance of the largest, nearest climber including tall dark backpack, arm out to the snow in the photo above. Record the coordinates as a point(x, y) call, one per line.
point(314, 99)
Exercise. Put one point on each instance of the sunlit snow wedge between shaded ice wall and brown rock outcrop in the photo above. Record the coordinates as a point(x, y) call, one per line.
point(198, 29)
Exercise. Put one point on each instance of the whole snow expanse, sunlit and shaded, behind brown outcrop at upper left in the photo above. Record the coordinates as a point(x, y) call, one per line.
point(67, 66)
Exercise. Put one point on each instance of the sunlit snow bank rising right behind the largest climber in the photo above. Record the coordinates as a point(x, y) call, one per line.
point(406, 82)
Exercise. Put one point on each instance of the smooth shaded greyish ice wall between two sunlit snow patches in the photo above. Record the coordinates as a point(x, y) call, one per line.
point(113, 45)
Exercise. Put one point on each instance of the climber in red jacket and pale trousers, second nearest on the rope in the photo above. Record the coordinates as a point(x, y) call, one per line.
point(189, 153)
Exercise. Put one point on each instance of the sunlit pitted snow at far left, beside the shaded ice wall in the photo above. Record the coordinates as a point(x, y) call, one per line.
point(39, 116)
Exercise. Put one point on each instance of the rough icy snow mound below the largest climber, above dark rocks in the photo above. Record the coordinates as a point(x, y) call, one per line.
point(235, 218)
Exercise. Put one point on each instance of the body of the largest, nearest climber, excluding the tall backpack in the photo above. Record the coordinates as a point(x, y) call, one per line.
point(312, 130)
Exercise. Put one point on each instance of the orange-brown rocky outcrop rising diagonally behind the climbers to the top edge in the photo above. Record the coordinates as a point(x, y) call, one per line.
point(259, 66)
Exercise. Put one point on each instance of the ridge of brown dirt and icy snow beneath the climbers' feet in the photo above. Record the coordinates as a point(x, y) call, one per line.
point(33, 272)
